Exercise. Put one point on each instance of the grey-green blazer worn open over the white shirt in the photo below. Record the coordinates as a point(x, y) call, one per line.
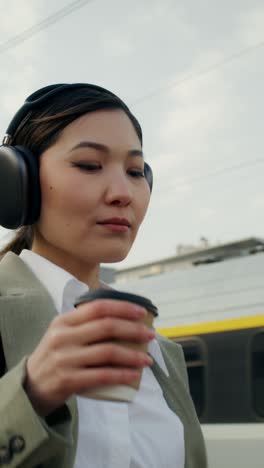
point(27, 440)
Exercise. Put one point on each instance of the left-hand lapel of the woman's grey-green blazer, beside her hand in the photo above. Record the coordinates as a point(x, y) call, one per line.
point(26, 310)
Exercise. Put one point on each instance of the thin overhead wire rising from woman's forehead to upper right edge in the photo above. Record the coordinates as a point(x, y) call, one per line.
point(199, 73)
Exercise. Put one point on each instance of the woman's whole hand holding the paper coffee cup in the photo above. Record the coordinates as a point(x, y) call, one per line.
point(78, 352)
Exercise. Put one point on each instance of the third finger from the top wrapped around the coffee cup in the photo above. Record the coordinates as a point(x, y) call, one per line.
point(104, 354)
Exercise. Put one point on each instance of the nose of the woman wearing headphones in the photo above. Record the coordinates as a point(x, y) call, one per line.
point(119, 191)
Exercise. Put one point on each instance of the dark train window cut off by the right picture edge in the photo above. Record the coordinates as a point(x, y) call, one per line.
point(258, 373)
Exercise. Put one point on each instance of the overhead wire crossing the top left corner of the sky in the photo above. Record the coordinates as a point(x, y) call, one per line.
point(43, 24)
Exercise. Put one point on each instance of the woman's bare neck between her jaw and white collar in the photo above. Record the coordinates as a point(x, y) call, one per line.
point(83, 271)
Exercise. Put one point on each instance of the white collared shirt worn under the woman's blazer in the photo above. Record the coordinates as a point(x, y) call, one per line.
point(142, 434)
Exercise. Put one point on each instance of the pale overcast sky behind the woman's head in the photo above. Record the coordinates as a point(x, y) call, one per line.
point(192, 71)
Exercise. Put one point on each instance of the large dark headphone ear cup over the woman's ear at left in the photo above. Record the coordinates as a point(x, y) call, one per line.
point(19, 187)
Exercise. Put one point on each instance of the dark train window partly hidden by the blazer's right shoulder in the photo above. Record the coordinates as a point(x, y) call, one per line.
point(195, 357)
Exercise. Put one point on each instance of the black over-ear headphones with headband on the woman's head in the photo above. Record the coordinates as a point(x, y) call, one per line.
point(20, 196)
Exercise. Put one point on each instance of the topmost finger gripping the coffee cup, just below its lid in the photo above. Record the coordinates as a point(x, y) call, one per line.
point(101, 308)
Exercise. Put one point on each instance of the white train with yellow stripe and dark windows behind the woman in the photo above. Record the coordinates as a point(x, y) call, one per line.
point(216, 312)
